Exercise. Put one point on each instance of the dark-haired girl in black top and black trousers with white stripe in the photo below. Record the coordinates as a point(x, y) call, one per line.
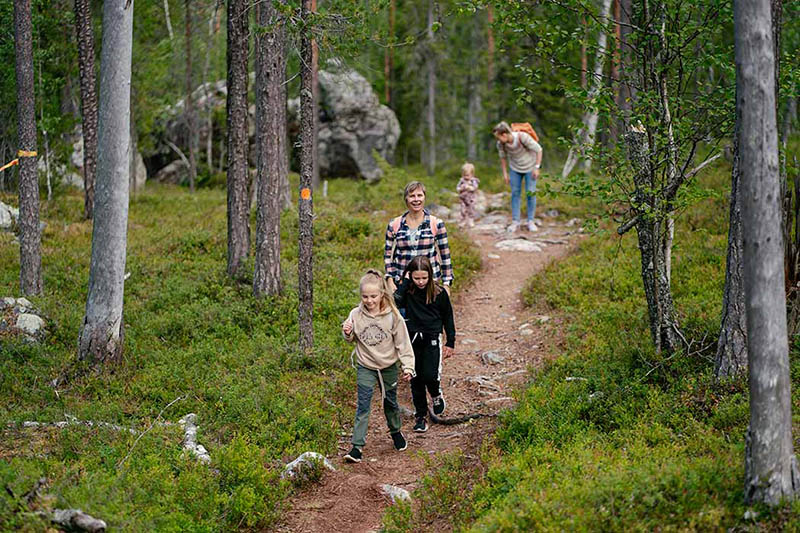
point(428, 311)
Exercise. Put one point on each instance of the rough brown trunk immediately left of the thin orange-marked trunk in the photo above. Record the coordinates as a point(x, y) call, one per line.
point(270, 126)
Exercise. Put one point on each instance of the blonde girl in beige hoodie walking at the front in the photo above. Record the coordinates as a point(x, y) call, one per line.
point(382, 346)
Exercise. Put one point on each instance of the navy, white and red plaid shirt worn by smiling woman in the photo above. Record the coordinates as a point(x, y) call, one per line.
point(404, 251)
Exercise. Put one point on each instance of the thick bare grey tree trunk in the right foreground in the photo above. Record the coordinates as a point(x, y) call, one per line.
point(771, 474)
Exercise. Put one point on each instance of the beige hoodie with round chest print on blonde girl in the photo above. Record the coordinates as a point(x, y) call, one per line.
point(380, 340)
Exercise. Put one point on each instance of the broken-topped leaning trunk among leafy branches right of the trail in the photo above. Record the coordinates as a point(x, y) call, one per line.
point(653, 235)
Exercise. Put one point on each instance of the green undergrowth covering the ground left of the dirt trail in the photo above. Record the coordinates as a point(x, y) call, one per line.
point(198, 342)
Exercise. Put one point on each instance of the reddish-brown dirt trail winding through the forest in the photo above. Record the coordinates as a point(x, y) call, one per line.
point(490, 317)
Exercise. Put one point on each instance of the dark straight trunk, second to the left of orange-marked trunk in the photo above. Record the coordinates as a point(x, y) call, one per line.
point(238, 201)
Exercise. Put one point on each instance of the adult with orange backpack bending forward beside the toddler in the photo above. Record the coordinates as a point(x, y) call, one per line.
point(518, 148)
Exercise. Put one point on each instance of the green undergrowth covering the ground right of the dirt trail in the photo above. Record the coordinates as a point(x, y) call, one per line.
point(611, 436)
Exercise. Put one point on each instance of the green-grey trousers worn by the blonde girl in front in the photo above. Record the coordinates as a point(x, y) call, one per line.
point(367, 379)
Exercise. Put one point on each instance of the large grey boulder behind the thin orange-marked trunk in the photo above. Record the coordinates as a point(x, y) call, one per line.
point(353, 124)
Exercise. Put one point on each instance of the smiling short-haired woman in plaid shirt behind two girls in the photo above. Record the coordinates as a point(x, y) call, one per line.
point(411, 235)
